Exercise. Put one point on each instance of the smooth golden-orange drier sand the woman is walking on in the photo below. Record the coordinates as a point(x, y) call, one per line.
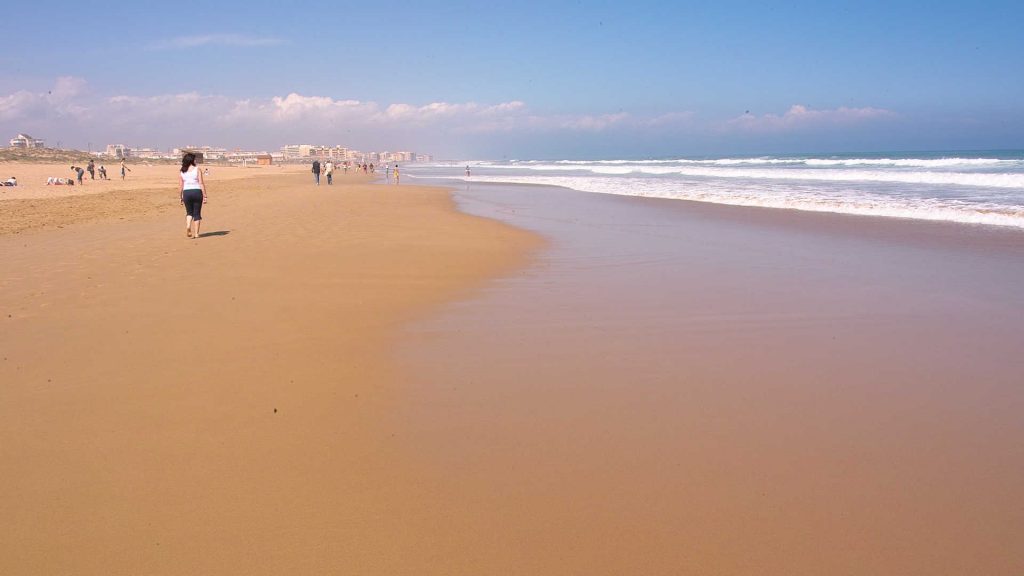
point(215, 406)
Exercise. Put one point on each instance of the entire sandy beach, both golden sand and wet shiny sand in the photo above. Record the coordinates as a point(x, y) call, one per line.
point(363, 379)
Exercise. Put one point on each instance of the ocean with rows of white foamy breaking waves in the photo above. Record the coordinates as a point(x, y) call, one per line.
point(977, 188)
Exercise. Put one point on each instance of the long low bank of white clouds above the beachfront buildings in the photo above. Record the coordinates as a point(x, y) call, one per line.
point(293, 116)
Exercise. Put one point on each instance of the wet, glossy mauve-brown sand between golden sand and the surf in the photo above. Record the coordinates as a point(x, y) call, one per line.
point(687, 389)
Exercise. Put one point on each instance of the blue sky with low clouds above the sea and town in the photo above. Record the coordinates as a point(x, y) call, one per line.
point(525, 80)
